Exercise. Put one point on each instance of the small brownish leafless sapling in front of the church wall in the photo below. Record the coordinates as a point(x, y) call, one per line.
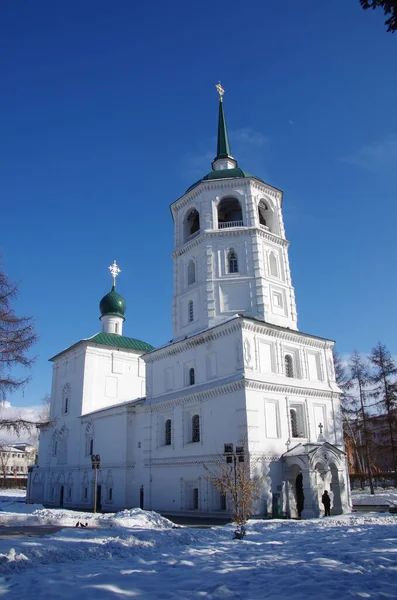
point(232, 475)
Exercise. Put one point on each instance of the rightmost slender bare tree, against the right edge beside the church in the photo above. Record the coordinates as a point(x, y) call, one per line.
point(385, 392)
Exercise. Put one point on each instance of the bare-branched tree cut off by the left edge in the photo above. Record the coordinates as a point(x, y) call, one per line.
point(17, 336)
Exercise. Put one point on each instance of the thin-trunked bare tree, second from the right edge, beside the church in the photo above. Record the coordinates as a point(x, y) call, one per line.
point(359, 377)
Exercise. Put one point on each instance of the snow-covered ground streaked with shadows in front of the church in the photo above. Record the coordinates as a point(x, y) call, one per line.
point(137, 554)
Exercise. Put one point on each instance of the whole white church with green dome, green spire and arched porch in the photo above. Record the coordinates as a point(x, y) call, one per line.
point(236, 368)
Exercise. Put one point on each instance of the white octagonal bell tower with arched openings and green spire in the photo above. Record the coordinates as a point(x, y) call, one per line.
point(230, 250)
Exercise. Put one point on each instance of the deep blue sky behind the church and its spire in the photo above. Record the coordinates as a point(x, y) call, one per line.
point(108, 112)
